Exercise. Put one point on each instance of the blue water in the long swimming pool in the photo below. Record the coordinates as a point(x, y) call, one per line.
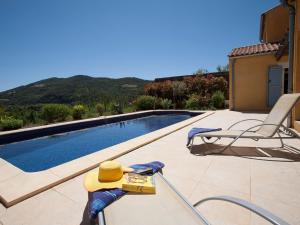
point(43, 153)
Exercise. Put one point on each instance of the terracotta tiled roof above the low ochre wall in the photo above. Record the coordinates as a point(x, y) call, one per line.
point(254, 49)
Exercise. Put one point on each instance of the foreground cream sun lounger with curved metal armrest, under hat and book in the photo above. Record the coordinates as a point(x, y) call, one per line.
point(168, 207)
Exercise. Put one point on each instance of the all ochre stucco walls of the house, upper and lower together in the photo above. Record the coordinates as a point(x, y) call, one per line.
point(251, 72)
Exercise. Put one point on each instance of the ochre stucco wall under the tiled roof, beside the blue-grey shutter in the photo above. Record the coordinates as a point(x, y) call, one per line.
point(250, 81)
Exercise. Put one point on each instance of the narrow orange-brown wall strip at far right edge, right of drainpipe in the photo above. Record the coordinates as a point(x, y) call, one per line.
point(296, 71)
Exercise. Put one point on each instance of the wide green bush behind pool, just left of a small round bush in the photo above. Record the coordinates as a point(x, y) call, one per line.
point(55, 112)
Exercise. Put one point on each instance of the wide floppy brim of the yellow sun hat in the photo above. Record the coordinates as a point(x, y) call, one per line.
point(91, 182)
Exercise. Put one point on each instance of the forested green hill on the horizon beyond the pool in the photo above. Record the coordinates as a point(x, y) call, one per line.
point(80, 88)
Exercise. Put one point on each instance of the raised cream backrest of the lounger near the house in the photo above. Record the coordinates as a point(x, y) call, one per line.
point(278, 114)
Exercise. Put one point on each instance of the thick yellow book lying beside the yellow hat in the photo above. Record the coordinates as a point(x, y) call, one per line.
point(138, 183)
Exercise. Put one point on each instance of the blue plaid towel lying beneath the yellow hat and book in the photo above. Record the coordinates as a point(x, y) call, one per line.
point(98, 200)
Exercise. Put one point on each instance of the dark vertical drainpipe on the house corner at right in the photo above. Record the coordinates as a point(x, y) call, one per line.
point(291, 9)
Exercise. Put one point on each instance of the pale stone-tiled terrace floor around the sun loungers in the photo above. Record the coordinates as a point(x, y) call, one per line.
point(267, 176)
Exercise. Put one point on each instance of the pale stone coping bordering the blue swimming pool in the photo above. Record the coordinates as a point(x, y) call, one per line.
point(17, 185)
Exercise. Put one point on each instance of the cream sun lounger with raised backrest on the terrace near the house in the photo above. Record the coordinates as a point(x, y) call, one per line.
point(271, 128)
